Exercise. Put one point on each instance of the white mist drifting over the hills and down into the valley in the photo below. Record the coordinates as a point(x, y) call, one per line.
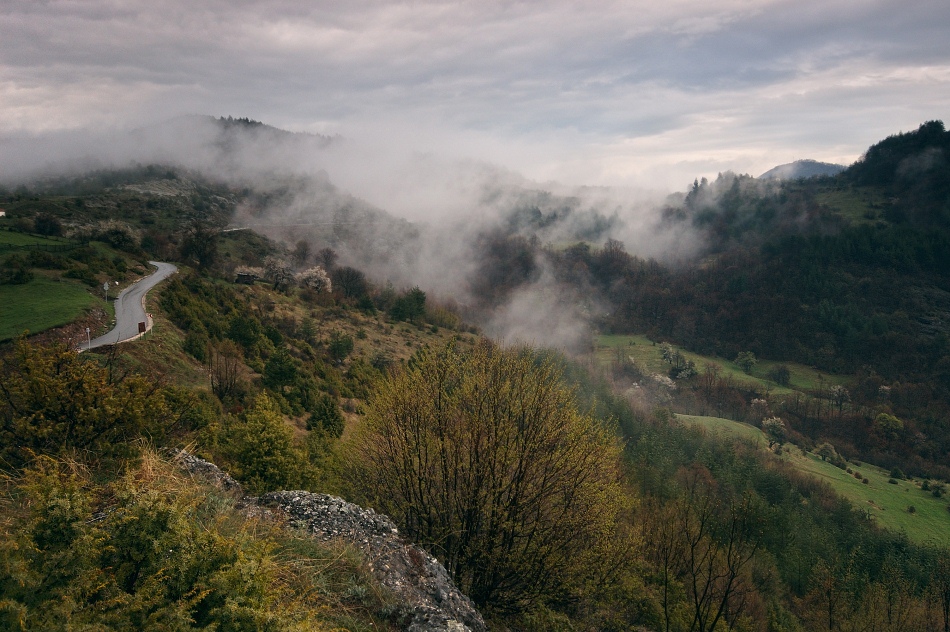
point(404, 217)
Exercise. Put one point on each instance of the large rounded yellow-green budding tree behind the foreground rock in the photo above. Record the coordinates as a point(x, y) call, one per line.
point(482, 456)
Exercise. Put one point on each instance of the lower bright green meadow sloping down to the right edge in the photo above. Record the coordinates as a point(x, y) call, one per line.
point(887, 504)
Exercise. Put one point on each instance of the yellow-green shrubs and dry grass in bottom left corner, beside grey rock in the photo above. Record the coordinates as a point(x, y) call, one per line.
point(150, 551)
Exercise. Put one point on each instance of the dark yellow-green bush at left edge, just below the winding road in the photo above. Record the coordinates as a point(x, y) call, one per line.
point(54, 401)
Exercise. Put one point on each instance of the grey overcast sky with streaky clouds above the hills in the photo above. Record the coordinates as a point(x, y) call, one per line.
point(642, 93)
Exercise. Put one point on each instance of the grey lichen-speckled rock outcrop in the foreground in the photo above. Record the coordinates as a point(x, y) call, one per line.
point(430, 601)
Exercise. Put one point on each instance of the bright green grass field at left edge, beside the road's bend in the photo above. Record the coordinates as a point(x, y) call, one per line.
point(41, 304)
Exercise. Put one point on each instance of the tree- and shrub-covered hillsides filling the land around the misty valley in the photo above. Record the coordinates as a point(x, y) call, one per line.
point(560, 492)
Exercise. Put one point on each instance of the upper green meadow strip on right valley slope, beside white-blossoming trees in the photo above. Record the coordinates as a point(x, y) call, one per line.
point(648, 353)
